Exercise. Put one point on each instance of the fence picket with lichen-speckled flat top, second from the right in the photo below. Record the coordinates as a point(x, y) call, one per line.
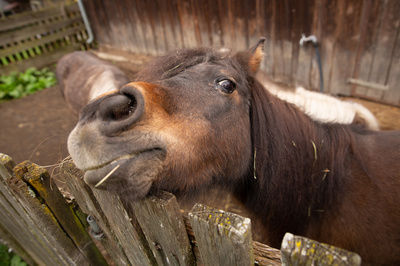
point(222, 238)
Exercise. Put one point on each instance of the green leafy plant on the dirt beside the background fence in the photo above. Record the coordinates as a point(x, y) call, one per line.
point(17, 85)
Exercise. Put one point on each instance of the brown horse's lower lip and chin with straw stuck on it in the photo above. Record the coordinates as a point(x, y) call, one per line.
point(130, 176)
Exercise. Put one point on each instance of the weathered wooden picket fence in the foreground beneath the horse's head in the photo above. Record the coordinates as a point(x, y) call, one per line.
point(97, 228)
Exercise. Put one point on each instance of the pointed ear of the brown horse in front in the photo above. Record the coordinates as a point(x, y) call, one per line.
point(251, 58)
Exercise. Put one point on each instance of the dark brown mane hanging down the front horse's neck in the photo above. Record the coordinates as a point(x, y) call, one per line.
point(299, 163)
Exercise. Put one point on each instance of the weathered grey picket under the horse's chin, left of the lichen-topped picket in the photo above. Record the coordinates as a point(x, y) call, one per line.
point(164, 229)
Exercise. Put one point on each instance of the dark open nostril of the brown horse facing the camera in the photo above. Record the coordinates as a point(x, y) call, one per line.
point(118, 107)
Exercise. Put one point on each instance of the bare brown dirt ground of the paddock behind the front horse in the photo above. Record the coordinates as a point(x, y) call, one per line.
point(36, 127)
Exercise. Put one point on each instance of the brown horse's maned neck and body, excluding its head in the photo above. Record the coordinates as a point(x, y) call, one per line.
point(343, 206)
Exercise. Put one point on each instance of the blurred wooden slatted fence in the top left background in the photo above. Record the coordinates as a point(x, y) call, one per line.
point(39, 38)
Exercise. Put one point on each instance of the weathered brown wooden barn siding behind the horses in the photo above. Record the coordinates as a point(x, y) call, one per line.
point(358, 39)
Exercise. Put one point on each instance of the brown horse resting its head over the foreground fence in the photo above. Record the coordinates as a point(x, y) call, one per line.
point(199, 118)
